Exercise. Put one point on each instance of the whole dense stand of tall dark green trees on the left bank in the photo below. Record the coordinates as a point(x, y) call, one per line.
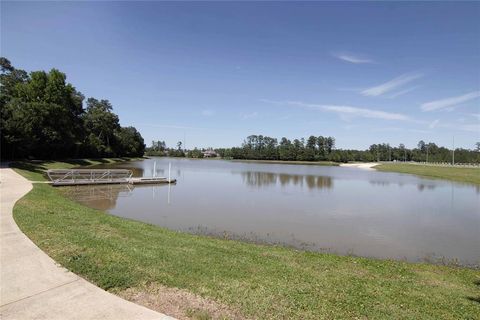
point(43, 116)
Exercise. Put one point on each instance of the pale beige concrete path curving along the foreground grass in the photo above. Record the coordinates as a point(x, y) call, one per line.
point(33, 286)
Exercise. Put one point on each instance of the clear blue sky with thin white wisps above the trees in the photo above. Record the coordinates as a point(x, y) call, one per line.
point(215, 72)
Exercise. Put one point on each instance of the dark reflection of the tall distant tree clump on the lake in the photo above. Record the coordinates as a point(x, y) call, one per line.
point(262, 179)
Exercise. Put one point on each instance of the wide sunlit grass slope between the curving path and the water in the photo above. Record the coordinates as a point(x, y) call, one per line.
point(264, 282)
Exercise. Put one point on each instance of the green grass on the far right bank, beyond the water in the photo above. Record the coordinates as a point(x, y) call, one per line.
point(467, 175)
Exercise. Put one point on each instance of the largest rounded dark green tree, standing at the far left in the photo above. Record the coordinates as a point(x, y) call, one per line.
point(40, 118)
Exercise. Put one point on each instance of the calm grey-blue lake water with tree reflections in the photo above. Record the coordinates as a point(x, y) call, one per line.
point(333, 209)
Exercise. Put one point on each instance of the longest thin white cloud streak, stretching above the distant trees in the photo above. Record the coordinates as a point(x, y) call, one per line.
point(345, 110)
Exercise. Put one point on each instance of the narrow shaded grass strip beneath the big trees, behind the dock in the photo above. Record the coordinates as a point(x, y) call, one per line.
point(35, 170)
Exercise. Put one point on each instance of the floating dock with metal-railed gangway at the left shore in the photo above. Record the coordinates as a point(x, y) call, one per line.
point(74, 177)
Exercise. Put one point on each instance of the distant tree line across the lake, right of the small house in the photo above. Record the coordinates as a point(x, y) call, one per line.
point(320, 148)
